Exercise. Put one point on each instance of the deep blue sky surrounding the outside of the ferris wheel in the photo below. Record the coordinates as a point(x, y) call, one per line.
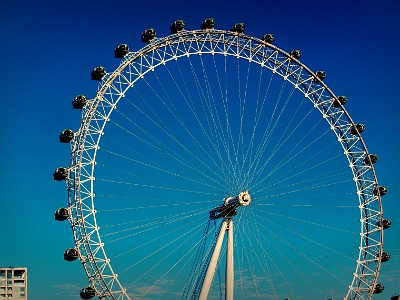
point(48, 49)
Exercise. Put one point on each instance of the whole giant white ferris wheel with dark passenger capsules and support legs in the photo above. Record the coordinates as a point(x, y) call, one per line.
point(213, 164)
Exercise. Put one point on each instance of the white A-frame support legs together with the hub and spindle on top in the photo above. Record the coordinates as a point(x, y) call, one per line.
point(227, 210)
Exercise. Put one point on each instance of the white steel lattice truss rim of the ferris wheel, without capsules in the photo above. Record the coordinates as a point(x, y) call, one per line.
point(82, 165)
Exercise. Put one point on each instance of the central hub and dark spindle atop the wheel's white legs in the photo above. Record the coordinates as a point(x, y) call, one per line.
point(228, 209)
